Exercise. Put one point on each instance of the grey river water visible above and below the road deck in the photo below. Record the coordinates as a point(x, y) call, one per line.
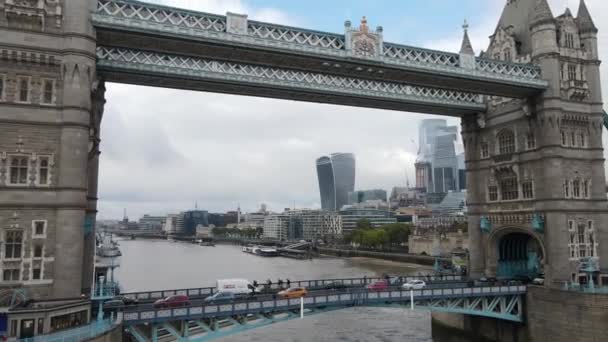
point(148, 265)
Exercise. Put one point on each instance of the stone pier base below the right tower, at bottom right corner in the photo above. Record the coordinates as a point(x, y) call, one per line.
point(550, 315)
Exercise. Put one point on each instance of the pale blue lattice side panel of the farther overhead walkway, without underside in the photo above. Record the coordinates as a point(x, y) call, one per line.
point(165, 64)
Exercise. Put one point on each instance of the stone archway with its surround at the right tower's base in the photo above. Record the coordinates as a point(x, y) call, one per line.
point(515, 252)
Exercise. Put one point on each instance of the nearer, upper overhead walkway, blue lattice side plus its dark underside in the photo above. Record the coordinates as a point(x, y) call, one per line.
point(115, 20)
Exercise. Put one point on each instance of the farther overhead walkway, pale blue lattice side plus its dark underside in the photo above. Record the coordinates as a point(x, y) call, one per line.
point(123, 64)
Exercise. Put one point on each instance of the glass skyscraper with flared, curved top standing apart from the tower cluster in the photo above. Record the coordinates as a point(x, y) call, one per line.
point(336, 174)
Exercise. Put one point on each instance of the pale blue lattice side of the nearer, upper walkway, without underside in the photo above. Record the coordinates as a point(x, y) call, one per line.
point(136, 16)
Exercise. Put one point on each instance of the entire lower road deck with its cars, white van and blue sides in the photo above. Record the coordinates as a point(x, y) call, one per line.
point(236, 305)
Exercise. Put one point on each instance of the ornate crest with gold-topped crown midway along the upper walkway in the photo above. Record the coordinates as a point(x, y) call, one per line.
point(361, 42)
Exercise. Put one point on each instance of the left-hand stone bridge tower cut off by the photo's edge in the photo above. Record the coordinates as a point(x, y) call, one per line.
point(48, 146)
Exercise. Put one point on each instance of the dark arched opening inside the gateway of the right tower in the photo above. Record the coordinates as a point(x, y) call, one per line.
point(519, 255)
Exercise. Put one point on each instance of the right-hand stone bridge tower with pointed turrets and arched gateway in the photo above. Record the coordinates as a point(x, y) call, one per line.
point(538, 204)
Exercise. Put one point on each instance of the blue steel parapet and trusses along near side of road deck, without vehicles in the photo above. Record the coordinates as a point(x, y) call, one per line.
point(212, 321)
